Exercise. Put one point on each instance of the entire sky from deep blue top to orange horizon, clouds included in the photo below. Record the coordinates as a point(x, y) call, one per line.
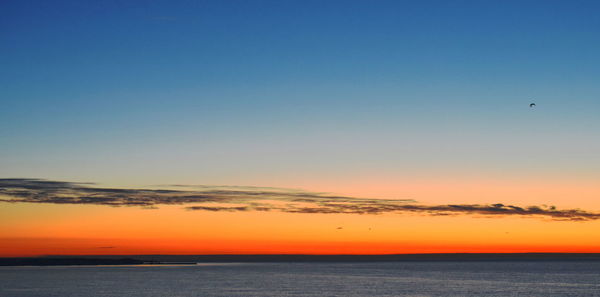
point(411, 117)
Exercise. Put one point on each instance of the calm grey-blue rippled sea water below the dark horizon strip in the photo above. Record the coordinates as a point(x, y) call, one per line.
point(523, 279)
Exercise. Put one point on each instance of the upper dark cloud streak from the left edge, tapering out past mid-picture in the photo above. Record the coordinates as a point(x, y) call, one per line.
point(60, 192)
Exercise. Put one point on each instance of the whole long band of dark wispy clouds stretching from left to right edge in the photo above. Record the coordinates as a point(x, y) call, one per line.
point(242, 199)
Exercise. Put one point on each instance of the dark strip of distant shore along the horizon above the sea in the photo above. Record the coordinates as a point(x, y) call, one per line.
point(112, 260)
